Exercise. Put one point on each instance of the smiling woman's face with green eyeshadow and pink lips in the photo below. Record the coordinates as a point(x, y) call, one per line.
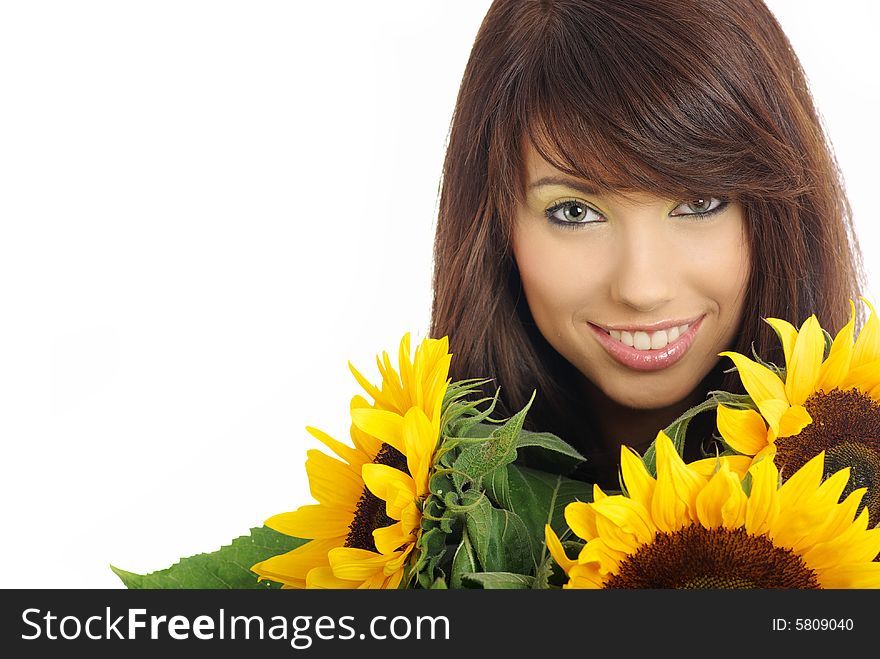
point(638, 292)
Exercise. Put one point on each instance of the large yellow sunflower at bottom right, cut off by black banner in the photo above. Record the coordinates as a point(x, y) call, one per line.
point(687, 530)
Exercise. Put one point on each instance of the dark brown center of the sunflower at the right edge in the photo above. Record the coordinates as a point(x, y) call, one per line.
point(846, 425)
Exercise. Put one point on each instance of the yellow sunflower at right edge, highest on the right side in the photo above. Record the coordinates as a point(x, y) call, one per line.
point(822, 403)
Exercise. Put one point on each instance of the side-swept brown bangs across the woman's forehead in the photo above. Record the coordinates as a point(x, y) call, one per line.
point(635, 106)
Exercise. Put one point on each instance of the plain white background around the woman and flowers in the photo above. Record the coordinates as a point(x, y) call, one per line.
point(206, 210)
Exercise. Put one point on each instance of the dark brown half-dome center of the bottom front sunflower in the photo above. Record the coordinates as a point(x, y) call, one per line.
point(697, 557)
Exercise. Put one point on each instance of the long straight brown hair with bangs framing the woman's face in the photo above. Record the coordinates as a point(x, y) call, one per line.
point(668, 96)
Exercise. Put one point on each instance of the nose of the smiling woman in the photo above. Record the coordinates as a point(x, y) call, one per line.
point(644, 276)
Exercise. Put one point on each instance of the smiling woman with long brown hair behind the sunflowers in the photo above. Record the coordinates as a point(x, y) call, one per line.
point(629, 188)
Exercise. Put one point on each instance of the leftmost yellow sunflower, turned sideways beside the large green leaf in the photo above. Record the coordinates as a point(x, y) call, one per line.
point(365, 524)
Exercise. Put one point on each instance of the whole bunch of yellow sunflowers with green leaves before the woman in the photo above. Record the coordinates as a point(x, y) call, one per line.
point(428, 493)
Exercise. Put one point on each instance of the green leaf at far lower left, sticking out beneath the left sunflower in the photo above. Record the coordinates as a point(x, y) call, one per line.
point(228, 567)
